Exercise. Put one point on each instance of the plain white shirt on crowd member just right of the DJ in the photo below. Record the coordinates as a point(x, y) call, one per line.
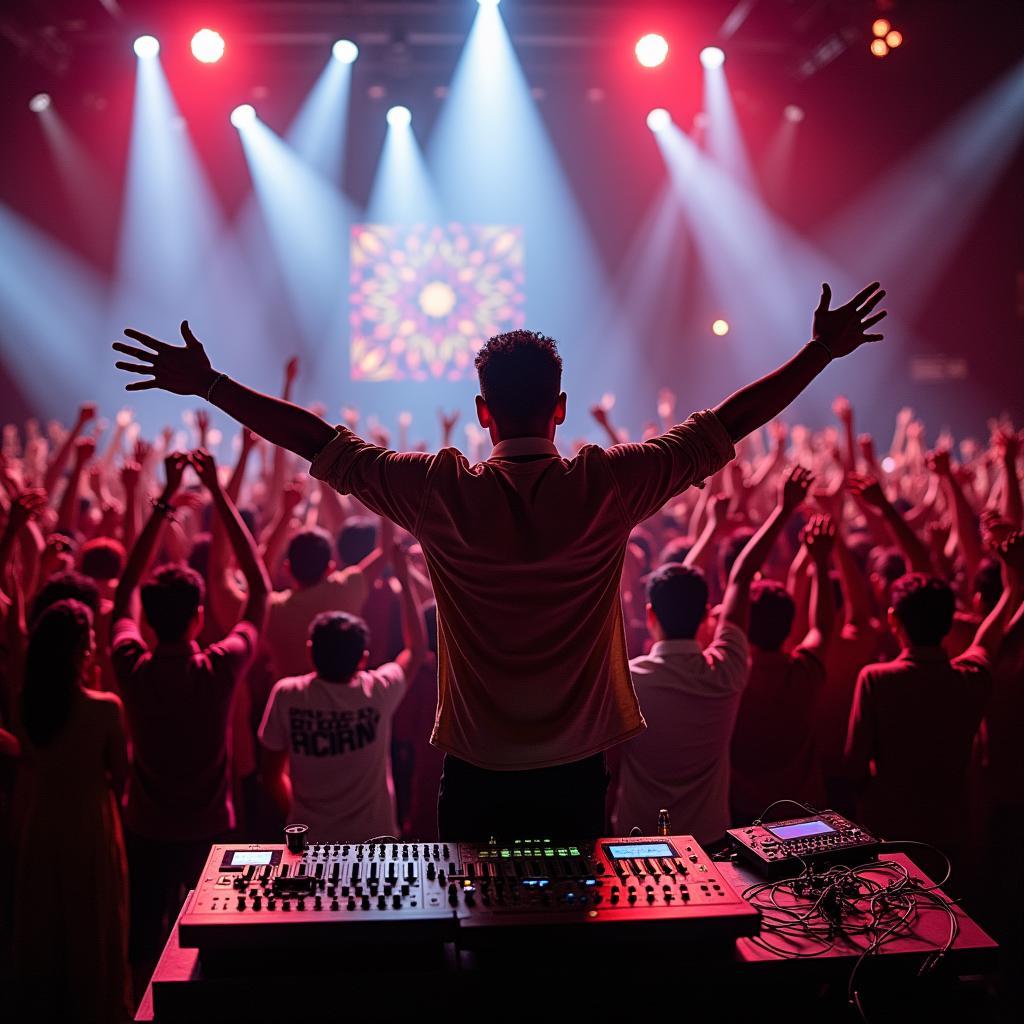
point(690, 699)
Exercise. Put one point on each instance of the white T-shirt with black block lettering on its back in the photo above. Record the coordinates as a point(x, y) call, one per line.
point(338, 739)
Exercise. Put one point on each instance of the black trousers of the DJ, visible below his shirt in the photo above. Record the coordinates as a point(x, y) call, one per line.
point(566, 802)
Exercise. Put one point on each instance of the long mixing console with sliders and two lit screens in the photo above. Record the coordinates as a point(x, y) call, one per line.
point(478, 895)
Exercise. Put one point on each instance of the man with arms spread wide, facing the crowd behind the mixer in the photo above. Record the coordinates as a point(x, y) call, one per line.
point(526, 551)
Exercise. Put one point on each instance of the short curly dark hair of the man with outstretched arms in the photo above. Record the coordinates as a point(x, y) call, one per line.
point(521, 376)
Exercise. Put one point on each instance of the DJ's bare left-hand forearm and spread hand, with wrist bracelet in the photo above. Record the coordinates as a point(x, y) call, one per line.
point(188, 371)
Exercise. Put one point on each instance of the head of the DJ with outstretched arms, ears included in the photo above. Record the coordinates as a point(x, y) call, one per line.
point(521, 375)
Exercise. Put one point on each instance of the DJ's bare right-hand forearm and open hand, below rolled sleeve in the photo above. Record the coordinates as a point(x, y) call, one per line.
point(836, 333)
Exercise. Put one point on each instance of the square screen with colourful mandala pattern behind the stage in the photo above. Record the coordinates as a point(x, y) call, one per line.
point(424, 300)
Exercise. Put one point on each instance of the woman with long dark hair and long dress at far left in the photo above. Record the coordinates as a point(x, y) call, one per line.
point(71, 903)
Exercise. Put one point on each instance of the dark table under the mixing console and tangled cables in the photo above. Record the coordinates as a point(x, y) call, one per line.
point(541, 979)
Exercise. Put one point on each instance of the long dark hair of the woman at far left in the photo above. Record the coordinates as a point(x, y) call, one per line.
point(61, 648)
